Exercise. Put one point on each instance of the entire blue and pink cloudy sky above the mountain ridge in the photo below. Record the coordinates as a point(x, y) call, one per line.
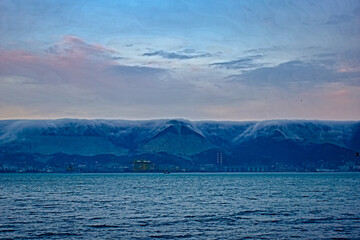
point(196, 59)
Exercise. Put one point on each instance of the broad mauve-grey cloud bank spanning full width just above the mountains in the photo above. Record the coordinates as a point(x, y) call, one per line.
point(81, 85)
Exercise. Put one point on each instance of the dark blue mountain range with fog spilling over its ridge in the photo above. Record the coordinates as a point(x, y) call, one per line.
point(178, 145)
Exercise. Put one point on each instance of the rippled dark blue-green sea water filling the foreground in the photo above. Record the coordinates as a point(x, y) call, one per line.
point(191, 206)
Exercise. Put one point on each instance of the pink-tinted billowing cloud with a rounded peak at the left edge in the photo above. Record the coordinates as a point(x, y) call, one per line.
point(70, 60)
